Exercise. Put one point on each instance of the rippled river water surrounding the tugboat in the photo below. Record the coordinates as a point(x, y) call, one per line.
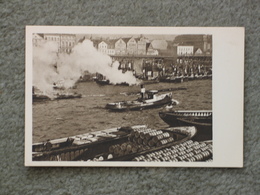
point(68, 117)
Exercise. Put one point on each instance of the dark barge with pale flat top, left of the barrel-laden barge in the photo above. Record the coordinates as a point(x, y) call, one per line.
point(75, 147)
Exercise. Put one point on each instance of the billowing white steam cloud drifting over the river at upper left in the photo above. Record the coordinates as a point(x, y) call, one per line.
point(49, 68)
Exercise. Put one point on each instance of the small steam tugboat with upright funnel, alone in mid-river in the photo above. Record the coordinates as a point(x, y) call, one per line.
point(152, 100)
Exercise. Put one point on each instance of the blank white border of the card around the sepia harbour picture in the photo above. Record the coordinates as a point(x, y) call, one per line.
point(227, 93)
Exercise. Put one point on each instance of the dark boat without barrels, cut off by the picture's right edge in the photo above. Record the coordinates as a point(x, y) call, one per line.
point(202, 120)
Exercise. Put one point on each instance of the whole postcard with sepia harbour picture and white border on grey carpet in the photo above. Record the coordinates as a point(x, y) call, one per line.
point(134, 96)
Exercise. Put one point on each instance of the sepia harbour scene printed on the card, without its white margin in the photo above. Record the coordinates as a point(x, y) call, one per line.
point(132, 97)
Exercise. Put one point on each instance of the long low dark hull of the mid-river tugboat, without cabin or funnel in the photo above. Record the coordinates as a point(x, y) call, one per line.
point(137, 106)
